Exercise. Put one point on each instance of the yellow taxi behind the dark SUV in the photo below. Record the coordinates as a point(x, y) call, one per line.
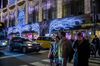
point(45, 42)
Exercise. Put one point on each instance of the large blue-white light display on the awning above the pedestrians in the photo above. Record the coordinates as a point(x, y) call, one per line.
point(65, 23)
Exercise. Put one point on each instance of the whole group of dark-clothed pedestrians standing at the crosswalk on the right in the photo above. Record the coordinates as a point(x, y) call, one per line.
point(64, 50)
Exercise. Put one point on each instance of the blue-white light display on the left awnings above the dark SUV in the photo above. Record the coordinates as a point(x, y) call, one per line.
point(20, 28)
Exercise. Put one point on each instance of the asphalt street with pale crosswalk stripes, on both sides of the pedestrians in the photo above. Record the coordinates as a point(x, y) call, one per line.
point(34, 59)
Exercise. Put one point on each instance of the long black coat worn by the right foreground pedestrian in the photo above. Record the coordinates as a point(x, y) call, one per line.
point(82, 52)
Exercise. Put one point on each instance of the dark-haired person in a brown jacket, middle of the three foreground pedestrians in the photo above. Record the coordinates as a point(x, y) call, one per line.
point(64, 49)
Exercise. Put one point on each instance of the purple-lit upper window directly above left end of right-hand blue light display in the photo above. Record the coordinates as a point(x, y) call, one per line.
point(49, 9)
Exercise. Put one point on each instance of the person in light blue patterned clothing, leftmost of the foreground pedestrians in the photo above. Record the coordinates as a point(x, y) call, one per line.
point(53, 53)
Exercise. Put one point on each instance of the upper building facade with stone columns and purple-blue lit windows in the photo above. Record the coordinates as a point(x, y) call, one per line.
point(22, 12)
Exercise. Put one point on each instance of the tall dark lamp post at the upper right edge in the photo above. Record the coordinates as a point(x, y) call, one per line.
point(94, 16)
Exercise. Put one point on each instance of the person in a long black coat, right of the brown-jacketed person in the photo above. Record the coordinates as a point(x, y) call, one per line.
point(82, 51)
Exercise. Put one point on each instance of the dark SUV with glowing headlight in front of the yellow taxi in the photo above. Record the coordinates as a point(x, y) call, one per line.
point(23, 45)
